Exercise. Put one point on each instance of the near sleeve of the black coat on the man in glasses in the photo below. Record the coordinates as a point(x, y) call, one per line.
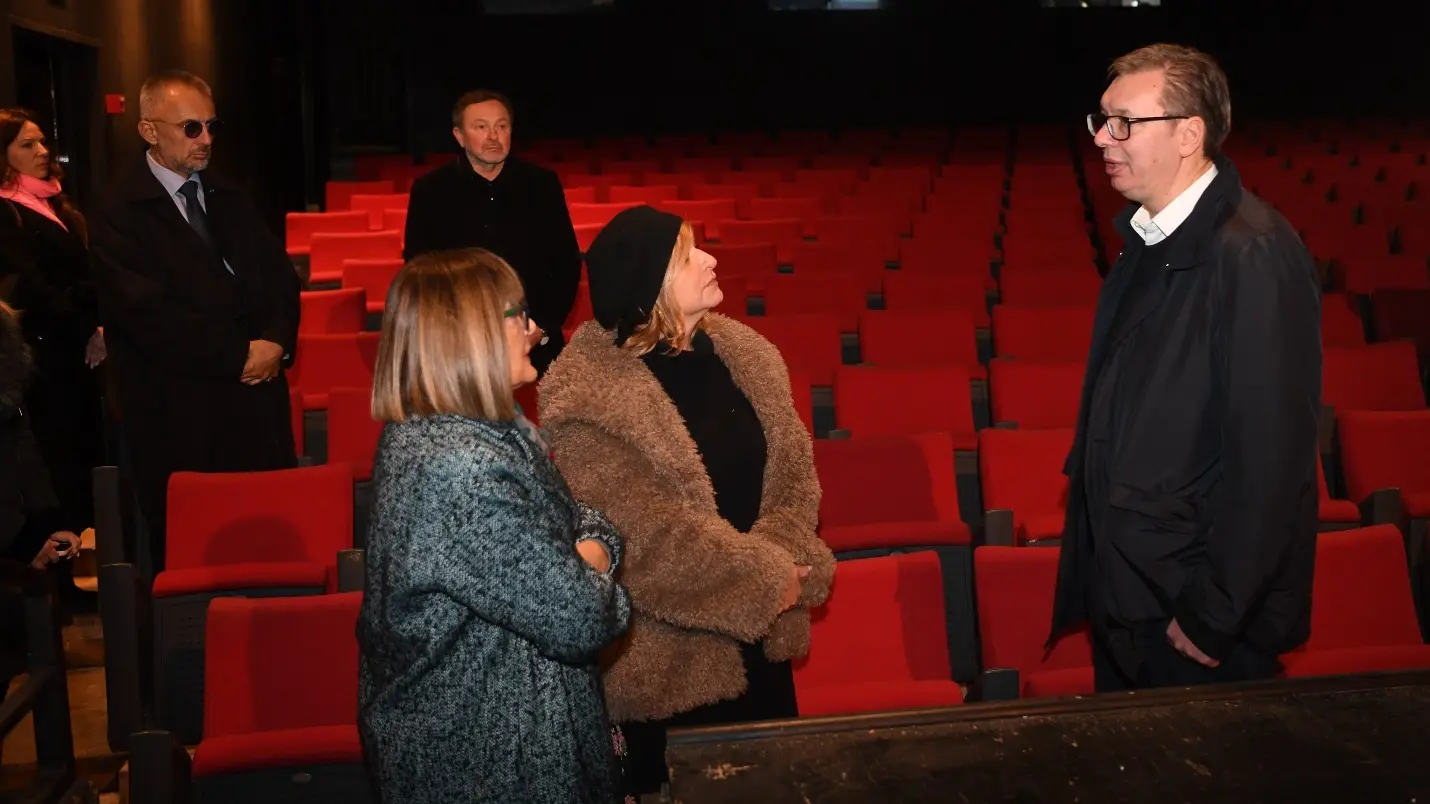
point(1269, 368)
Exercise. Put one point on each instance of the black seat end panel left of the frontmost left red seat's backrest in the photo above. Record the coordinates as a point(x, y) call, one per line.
point(124, 606)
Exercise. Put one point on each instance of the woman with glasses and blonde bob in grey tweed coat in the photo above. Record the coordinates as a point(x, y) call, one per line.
point(490, 590)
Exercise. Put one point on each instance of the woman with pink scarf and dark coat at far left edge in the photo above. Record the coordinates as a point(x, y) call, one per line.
point(45, 277)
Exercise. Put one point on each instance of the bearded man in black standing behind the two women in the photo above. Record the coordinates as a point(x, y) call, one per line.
point(516, 210)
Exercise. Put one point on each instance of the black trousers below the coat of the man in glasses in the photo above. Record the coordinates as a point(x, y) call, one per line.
point(1162, 666)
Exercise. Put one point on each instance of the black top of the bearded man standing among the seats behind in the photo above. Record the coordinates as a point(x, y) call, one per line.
point(521, 217)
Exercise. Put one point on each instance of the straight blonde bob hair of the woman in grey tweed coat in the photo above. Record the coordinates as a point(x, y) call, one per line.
point(444, 340)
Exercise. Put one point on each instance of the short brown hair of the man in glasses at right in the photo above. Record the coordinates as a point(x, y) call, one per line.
point(1195, 87)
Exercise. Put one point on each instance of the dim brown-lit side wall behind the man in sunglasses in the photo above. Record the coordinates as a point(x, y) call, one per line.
point(245, 49)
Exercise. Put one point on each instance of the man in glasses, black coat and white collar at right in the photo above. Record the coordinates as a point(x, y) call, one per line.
point(1190, 536)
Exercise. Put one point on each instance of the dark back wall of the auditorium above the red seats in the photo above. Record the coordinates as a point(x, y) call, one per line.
point(394, 71)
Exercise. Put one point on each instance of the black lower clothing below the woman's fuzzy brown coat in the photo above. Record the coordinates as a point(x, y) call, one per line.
point(770, 696)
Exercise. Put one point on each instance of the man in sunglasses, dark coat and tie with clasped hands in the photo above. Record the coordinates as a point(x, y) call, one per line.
point(199, 304)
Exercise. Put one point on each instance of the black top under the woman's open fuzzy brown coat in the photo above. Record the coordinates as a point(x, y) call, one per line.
point(723, 423)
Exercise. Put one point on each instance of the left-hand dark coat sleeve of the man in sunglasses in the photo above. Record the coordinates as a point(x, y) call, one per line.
point(135, 303)
